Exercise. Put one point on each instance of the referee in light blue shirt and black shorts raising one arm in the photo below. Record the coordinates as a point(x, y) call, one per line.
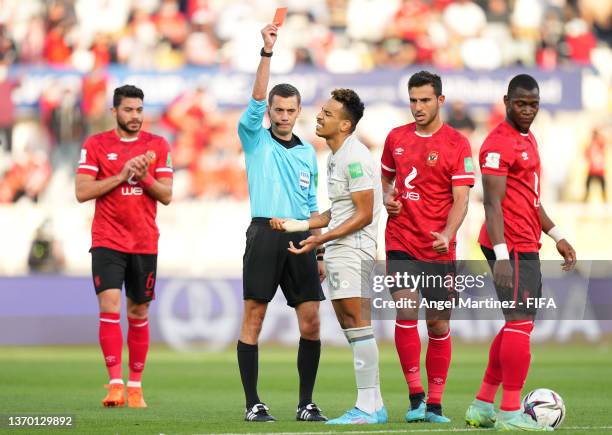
point(282, 175)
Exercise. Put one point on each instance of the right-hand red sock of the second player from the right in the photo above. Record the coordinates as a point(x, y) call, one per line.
point(437, 363)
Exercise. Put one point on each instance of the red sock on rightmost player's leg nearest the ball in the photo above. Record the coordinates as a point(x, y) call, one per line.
point(515, 357)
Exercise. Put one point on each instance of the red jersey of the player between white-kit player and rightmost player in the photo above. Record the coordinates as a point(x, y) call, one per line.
point(425, 168)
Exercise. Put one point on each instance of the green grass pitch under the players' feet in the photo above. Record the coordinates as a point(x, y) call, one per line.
point(190, 393)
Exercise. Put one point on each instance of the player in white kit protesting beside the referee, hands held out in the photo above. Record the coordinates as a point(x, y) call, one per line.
point(355, 193)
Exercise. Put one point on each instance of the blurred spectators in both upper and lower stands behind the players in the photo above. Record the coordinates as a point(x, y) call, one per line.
point(341, 36)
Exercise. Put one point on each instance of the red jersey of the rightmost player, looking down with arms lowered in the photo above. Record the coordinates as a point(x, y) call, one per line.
point(508, 152)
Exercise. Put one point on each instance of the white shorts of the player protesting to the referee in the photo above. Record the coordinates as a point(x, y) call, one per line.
point(348, 271)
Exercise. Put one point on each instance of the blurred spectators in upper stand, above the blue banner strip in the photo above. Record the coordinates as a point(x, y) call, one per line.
point(345, 35)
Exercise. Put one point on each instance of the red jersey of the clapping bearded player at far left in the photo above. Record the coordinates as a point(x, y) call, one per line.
point(125, 217)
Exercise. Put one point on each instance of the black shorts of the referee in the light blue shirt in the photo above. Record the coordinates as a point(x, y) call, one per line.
point(267, 264)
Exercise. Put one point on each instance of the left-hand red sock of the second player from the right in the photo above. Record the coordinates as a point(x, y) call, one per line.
point(408, 345)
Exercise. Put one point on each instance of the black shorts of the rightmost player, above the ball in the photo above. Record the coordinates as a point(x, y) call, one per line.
point(526, 278)
